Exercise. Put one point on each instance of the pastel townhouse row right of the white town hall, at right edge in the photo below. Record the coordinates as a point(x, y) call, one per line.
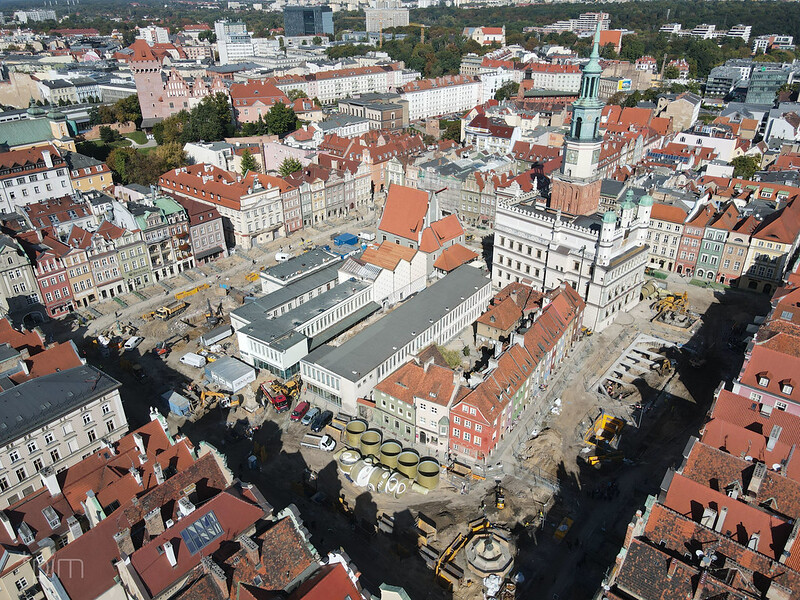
point(741, 233)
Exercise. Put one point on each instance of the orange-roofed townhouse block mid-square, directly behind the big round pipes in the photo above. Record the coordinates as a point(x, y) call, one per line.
point(427, 403)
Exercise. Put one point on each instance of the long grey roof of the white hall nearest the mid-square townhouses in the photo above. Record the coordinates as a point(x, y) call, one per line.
point(365, 351)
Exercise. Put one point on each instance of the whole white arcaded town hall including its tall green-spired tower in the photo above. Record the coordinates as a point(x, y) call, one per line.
point(542, 243)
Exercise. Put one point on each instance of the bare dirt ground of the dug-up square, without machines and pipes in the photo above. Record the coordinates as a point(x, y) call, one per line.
point(547, 486)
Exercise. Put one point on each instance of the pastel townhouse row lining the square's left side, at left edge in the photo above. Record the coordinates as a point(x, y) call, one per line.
point(64, 254)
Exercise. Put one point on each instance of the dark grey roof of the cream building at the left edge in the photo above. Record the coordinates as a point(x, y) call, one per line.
point(40, 401)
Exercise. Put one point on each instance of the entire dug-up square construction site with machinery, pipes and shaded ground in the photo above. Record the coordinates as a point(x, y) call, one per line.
point(560, 486)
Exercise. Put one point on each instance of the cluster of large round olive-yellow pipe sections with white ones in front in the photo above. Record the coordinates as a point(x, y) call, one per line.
point(384, 467)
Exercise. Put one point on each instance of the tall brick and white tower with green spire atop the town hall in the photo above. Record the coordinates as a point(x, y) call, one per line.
point(576, 187)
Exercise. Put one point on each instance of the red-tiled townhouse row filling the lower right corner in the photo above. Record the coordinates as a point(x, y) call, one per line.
point(725, 522)
